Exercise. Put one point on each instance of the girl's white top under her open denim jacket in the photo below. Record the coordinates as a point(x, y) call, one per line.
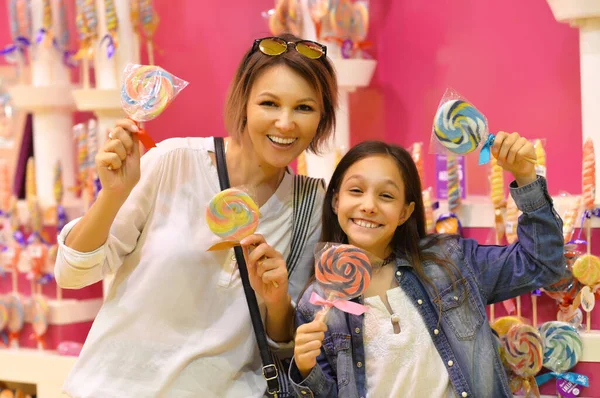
point(406, 364)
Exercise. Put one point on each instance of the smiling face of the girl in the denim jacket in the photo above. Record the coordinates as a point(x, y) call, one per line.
point(370, 204)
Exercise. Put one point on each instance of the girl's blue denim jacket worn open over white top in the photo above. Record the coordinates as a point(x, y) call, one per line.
point(463, 337)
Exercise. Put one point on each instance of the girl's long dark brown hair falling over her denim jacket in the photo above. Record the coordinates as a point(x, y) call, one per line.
point(408, 241)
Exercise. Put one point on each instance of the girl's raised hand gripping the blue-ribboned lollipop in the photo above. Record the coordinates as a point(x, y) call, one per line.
point(511, 151)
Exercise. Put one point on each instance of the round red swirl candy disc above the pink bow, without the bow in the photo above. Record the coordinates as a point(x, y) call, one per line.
point(344, 271)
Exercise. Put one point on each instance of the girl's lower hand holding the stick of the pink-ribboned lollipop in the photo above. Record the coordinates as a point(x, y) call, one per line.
point(309, 339)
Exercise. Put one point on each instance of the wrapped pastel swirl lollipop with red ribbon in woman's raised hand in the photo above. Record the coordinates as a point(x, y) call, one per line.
point(146, 93)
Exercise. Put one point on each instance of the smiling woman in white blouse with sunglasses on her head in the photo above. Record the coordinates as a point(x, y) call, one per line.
point(175, 322)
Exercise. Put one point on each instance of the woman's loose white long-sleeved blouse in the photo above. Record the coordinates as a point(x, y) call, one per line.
point(175, 322)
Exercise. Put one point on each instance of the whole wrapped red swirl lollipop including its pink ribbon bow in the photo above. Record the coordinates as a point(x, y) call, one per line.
point(342, 272)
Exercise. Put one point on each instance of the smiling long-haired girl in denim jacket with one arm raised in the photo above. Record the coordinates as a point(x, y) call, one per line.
point(425, 333)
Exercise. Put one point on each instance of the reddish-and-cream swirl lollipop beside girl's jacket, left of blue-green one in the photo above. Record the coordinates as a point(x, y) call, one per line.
point(523, 353)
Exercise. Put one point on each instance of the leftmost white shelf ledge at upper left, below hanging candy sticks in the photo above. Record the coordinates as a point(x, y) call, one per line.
point(43, 98)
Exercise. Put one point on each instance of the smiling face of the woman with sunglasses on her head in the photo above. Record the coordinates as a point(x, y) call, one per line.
point(283, 115)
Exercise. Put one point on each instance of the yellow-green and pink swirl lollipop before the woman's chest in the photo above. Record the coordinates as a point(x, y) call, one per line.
point(232, 215)
